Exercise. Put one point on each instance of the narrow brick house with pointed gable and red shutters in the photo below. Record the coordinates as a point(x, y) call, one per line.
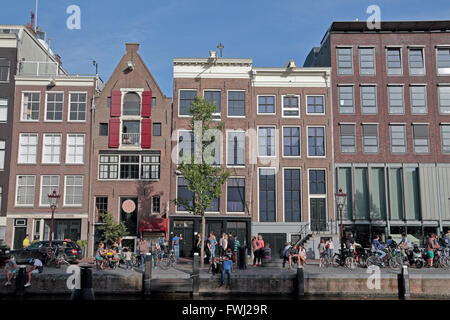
point(131, 152)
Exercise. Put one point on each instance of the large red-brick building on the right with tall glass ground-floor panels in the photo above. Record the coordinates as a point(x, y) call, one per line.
point(391, 110)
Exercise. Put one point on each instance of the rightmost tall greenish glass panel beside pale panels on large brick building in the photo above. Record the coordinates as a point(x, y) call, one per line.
point(412, 193)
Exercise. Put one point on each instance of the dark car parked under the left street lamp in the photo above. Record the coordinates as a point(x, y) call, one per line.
point(39, 250)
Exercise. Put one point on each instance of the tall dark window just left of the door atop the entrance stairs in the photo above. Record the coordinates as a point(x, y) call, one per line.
point(292, 195)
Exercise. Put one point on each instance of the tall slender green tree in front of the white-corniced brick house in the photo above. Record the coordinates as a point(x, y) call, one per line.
point(204, 179)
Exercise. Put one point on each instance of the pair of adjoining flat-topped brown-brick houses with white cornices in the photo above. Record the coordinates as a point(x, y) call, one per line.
point(276, 143)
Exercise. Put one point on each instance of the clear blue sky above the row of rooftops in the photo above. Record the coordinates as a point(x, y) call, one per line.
point(270, 32)
